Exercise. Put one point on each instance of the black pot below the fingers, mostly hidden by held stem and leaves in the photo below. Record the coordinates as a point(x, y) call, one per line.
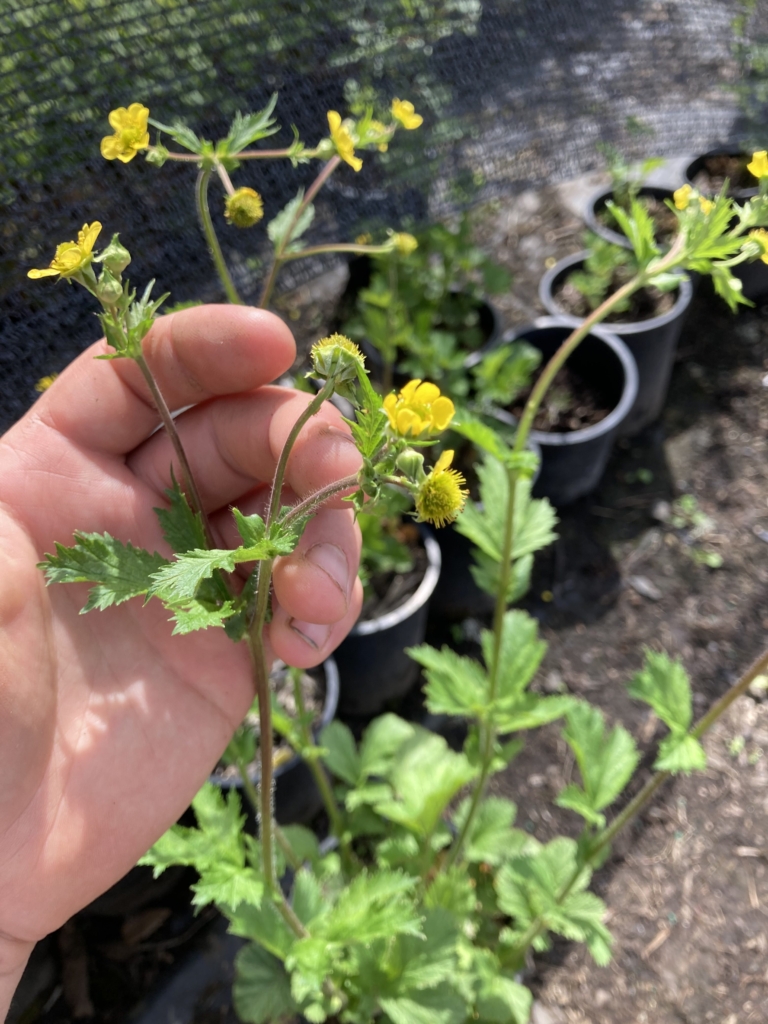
point(297, 799)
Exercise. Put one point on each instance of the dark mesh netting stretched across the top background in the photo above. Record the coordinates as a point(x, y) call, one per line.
point(515, 94)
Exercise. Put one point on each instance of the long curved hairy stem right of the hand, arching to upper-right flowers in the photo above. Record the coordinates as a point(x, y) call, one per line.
point(488, 734)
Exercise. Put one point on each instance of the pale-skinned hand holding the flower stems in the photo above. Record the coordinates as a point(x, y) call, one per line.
point(109, 726)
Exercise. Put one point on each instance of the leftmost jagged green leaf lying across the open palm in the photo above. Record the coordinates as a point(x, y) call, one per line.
point(119, 571)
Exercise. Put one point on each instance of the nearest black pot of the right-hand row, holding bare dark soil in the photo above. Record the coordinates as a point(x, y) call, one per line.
point(573, 463)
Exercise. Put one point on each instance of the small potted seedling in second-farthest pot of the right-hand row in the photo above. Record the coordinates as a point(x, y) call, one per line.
point(626, 186)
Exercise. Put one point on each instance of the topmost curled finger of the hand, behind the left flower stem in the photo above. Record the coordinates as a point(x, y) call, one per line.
point(195, 355)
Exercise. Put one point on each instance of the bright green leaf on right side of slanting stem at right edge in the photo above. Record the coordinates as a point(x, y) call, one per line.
point(664, 685)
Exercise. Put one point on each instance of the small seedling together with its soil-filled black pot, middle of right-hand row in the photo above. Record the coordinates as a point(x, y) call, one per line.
point(649, 322)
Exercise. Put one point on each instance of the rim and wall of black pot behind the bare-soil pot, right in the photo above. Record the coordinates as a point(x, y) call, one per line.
point(652, 343)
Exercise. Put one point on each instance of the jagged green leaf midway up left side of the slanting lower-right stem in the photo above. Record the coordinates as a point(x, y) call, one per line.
point(606, 762)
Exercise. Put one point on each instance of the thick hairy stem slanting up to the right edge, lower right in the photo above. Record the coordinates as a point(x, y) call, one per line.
point(639, 801)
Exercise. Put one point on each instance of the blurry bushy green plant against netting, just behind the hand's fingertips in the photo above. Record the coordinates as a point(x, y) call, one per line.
point(421, 310)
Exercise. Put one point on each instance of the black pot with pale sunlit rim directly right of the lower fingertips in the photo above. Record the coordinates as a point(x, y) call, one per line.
point(374, 669)
